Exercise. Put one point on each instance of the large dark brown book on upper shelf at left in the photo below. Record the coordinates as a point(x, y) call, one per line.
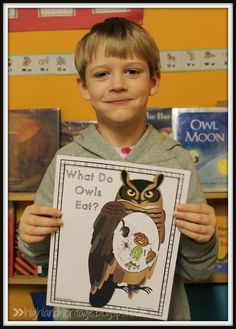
point(33, 140)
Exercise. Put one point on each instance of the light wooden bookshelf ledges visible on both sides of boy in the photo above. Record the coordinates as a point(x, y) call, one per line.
point(218, 200)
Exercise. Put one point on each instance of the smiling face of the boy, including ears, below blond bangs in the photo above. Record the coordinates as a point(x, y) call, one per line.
point(118, 89)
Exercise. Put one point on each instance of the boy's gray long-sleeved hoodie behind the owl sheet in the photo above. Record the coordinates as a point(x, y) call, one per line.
point(194, 262)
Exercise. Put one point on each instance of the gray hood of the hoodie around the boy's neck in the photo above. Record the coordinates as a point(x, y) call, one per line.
point(152, 143)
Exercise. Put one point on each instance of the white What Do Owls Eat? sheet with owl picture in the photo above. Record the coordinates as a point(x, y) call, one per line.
point(117, 249)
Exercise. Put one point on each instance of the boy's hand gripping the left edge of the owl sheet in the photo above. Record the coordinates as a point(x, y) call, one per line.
point(37, 222)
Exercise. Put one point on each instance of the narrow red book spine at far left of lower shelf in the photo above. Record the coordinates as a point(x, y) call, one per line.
point(11, 232)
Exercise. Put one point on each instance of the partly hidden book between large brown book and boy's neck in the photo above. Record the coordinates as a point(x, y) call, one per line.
point(71, 128)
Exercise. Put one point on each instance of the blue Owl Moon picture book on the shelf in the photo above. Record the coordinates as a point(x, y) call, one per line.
point(204, 133)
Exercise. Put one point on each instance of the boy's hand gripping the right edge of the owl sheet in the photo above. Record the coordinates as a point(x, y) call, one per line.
point(196, 221)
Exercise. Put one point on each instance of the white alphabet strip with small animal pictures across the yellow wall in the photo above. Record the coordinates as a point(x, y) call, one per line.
point(171, 61)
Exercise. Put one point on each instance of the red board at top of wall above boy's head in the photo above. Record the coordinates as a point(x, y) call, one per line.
point(38, 19)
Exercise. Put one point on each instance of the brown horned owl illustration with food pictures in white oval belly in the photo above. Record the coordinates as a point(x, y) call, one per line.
point(126, 239)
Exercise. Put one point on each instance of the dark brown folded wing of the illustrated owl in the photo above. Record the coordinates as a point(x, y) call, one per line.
point(101, 258)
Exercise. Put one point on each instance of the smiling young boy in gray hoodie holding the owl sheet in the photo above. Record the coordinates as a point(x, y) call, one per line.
point(119, 68)
